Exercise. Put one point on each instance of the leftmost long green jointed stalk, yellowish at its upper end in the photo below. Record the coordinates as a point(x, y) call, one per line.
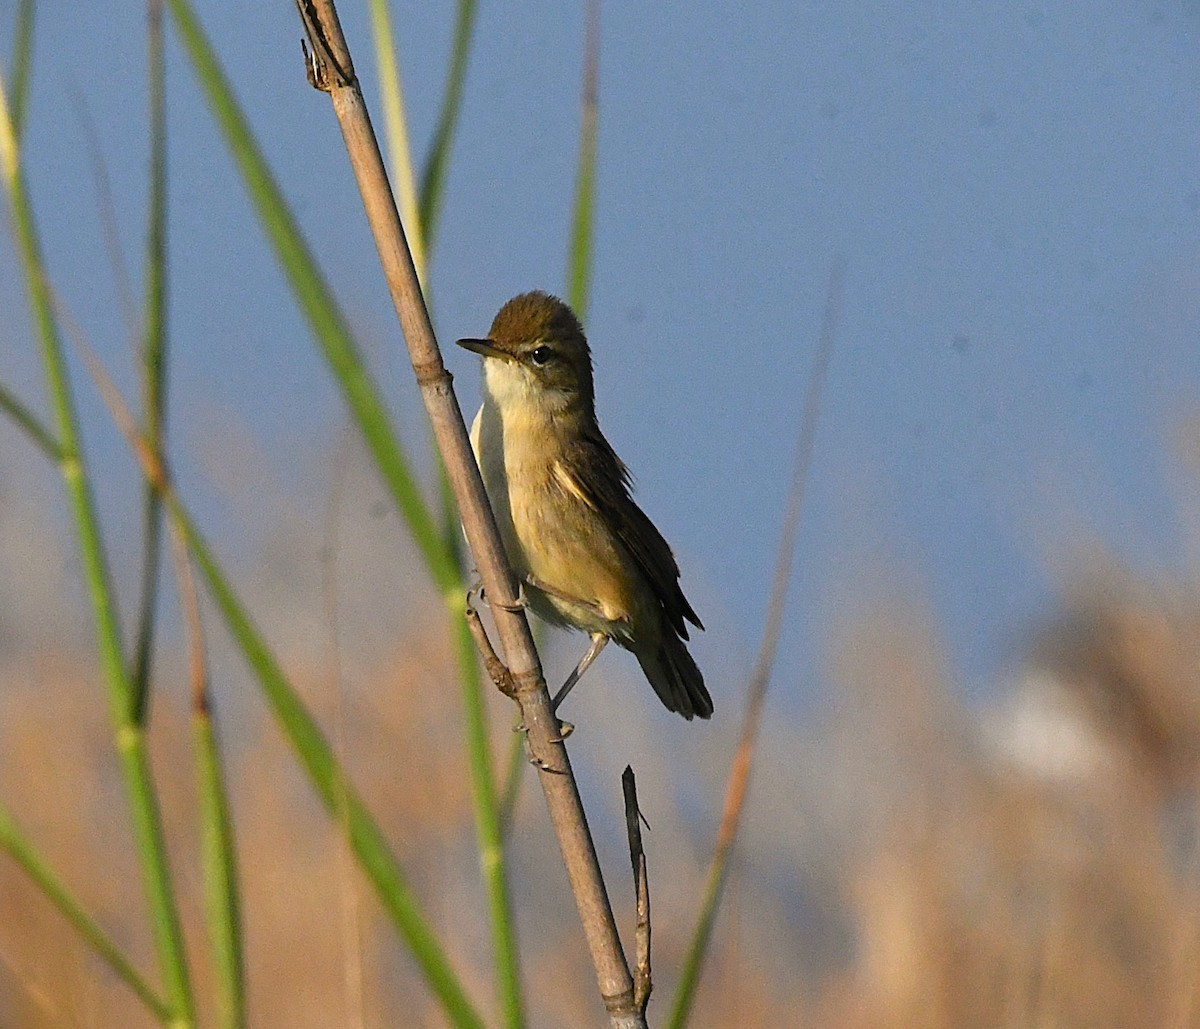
point(129, 732)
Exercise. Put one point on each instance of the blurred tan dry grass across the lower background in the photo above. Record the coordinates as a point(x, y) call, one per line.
point(910, 860)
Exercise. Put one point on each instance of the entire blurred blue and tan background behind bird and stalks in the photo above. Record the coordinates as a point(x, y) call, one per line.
point(976, 795)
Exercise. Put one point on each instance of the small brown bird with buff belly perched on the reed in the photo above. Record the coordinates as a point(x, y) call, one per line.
point(586, 555)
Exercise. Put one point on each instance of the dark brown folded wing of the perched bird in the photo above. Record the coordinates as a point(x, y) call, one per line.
point(592, 471)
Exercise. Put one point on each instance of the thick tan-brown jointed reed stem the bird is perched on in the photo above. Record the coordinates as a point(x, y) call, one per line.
point(332, 70)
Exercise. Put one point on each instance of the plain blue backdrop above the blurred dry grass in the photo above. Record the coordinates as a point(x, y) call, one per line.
point(1015, 191)
